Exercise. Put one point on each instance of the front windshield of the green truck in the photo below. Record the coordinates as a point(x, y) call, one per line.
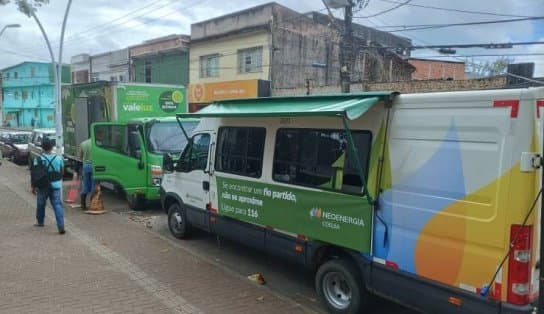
point(167, 137)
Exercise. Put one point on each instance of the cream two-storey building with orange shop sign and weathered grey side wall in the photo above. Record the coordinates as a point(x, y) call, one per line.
point(253, 52)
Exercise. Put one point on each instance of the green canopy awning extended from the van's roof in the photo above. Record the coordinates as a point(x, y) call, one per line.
point(352, 106)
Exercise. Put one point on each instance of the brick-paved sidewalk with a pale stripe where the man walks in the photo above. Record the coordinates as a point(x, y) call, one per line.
point(106, 264)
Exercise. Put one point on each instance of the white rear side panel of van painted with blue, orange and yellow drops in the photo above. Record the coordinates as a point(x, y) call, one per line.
point(455, 186)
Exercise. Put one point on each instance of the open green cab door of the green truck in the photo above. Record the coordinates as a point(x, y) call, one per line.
point(118, 156)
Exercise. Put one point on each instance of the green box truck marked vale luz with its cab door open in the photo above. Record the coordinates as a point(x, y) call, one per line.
point(131, 127)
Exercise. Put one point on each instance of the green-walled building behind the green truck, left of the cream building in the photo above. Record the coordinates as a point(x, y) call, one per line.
point(163, 60)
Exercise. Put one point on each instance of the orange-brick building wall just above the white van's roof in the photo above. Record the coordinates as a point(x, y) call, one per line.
point(427, 69)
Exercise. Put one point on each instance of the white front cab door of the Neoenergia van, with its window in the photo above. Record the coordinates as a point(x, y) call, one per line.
point(193, 177)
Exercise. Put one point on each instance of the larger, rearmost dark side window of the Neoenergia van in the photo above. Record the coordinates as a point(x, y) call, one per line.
point(321, 158)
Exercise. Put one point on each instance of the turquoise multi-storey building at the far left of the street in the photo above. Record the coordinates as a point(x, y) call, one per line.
point(28, 92)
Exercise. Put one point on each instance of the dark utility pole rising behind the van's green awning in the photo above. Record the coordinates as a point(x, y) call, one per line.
point(346, 49)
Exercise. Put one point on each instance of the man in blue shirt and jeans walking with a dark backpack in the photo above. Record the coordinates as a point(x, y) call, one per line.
point(55, 170)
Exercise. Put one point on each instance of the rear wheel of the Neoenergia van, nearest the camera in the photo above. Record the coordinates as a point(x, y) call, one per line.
point(340, 288)
